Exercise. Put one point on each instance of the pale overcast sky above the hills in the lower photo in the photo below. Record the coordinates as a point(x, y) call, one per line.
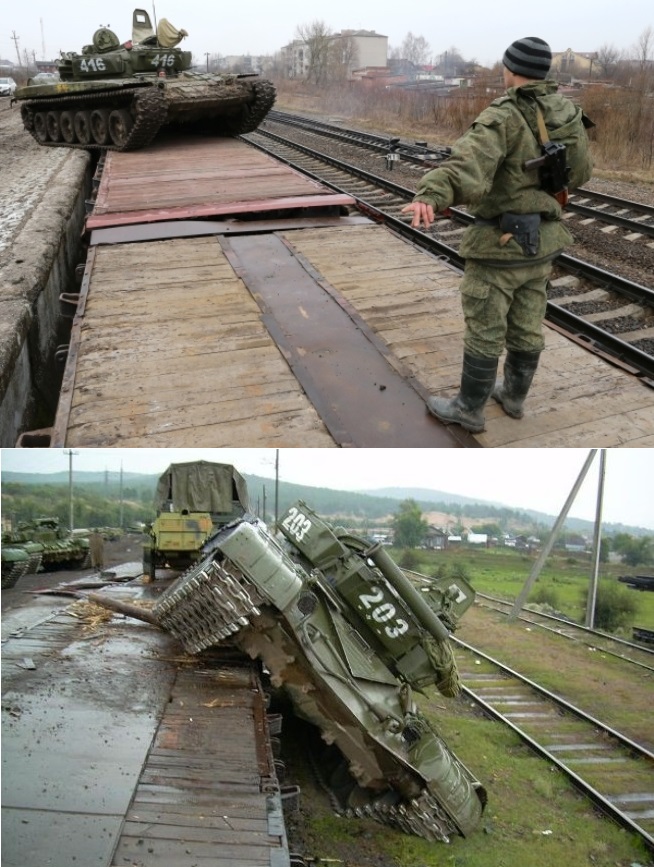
point(540, 479)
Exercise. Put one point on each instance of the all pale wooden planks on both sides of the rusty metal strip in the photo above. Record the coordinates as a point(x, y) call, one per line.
point(177, 354)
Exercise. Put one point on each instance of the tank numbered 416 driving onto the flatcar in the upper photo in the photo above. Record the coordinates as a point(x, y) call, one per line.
point(118, 96)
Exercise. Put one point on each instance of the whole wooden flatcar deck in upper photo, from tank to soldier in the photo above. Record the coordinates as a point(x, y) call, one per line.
point(228, 298)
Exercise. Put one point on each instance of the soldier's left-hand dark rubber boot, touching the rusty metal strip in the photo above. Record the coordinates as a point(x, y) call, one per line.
point(467, 408)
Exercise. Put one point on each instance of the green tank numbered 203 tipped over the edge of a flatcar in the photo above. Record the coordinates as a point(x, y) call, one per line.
point(349, 637)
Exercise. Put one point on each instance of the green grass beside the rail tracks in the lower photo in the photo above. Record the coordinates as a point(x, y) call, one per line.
point(534, 816)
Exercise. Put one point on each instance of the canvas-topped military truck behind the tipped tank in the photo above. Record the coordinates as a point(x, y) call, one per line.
point(192, 499)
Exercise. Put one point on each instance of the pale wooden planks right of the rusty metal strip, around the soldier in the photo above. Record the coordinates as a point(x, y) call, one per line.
point(577, 399)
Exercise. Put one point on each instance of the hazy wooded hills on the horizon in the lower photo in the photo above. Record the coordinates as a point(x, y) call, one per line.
point(102, 501)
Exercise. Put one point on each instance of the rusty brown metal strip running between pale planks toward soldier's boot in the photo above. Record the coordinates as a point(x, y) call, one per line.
point(363, 398)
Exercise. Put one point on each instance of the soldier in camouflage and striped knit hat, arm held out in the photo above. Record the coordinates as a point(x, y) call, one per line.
point(516, 234)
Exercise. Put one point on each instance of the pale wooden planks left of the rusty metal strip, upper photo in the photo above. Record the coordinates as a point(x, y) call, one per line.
point(159, 362)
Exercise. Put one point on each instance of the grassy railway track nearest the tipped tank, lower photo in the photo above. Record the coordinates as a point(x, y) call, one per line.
point(612, 770)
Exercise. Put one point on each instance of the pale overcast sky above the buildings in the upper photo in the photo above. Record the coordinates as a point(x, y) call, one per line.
point(479, 29)
